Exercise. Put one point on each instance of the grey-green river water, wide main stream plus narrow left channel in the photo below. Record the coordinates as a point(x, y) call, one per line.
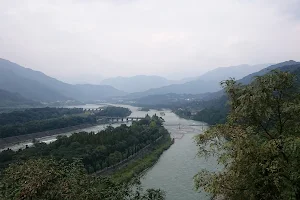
point(175, 169)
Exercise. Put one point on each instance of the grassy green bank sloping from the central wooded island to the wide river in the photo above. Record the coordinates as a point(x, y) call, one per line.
point(140, 164)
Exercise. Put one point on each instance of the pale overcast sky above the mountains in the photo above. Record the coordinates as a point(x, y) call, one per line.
point(77, 39)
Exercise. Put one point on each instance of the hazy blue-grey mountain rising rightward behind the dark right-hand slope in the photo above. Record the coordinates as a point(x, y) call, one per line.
point(208, 82)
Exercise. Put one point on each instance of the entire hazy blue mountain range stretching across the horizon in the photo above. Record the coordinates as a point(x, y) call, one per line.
point(31, 86)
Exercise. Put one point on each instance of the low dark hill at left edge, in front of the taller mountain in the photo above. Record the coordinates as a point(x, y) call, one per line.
point(8, 99)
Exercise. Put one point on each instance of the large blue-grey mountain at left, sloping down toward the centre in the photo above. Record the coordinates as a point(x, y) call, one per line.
point(40, 87)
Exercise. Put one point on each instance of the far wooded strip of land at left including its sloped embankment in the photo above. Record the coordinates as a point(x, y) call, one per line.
point(29, 124)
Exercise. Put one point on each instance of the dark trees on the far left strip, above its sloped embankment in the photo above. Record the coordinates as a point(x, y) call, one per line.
point(45, 119)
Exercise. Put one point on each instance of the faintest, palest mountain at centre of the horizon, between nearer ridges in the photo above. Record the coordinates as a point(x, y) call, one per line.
point(137, 83)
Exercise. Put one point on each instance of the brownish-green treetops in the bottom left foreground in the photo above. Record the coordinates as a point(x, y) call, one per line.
point(47, 179)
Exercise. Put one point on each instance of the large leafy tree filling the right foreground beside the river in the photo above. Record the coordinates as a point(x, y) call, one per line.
point(259, 144)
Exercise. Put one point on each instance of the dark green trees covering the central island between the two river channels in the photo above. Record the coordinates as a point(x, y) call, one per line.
point(97, 151)
